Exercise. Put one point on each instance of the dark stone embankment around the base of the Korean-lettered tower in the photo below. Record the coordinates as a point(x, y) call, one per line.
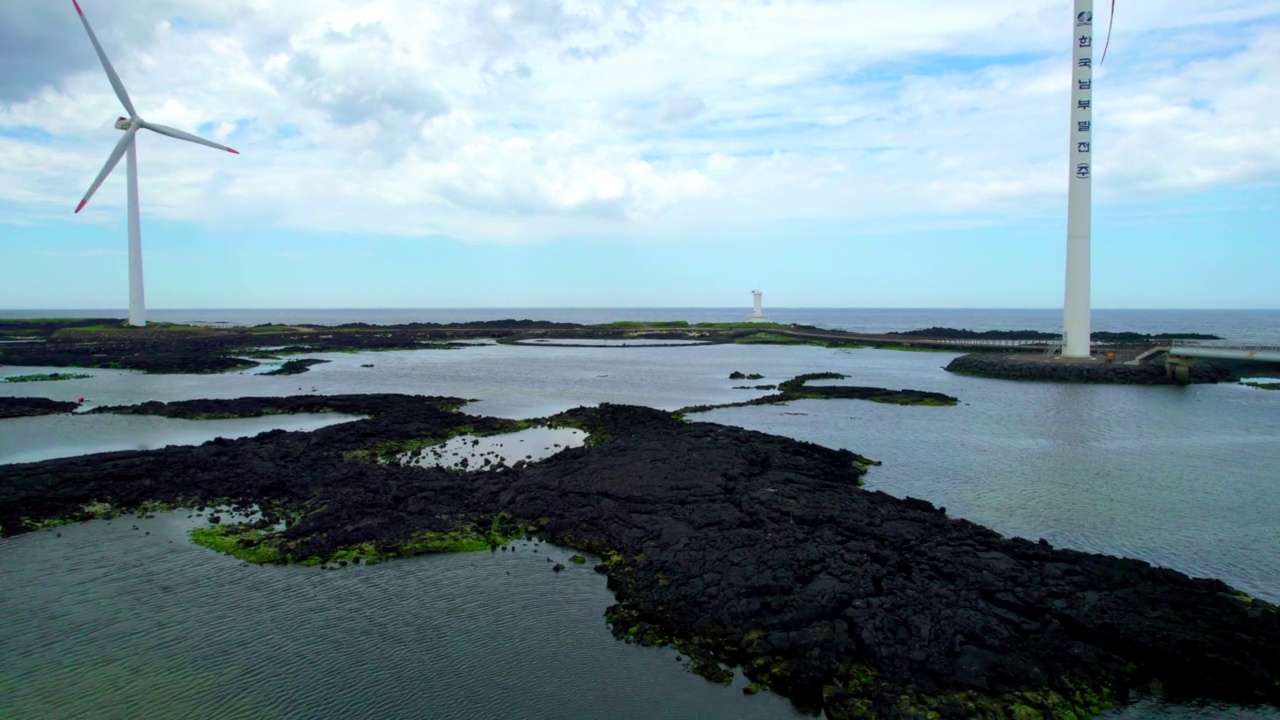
point(1057, 371)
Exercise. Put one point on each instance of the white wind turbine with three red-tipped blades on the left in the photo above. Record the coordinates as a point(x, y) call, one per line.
point(131, 126)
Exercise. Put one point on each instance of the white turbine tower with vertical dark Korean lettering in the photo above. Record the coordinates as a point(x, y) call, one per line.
point(1076, 309)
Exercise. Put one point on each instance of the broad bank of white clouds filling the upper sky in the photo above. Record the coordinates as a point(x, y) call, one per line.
point(524, 120)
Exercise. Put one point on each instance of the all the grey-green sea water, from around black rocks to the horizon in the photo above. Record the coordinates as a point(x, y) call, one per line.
point(127, 618)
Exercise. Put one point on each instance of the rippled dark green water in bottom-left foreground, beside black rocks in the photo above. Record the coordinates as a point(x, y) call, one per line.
point(108, 622)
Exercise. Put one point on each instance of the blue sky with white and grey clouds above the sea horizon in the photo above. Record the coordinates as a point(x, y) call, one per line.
point(638, 153)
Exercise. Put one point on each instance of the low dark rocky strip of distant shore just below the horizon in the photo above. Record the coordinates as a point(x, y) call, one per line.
point(168, 348)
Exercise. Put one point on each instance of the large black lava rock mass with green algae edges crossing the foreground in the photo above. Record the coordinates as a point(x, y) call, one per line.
point(735, 546)
